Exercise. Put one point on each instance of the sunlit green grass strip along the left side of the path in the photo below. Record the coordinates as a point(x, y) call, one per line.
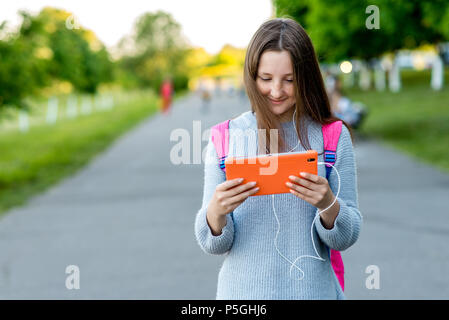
point(30, 162)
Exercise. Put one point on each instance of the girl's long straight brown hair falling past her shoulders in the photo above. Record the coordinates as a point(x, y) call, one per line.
point(281, 34)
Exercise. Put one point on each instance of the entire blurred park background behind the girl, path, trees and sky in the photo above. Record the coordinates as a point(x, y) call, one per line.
point(91, 93)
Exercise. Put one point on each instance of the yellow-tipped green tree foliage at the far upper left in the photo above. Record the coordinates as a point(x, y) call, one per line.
point(44, 52)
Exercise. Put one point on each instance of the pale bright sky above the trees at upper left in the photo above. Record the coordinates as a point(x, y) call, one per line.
point(205, 23)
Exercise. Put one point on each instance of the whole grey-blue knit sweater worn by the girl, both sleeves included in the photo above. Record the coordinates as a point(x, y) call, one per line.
point(253, 268)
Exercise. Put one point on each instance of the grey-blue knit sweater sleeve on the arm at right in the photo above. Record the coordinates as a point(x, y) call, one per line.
point(345, 231)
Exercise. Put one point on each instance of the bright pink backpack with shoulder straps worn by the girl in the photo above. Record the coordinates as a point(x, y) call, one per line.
point(331, 135)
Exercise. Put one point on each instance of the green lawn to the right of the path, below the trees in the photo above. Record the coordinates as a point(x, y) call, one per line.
point(414, 120)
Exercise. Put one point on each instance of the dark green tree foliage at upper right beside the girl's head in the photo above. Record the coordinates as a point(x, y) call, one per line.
point(338, 29)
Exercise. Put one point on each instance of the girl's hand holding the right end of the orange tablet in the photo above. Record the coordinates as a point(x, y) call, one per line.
point(312, 188)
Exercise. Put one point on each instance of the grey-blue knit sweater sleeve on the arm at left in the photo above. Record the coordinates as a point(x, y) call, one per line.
point(213, 176)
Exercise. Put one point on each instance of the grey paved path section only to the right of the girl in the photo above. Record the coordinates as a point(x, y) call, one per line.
point(405, 230)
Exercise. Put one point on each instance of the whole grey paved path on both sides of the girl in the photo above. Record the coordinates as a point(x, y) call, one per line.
point(127, 221)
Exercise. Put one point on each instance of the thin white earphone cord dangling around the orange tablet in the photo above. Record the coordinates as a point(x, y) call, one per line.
point(318, 257)
